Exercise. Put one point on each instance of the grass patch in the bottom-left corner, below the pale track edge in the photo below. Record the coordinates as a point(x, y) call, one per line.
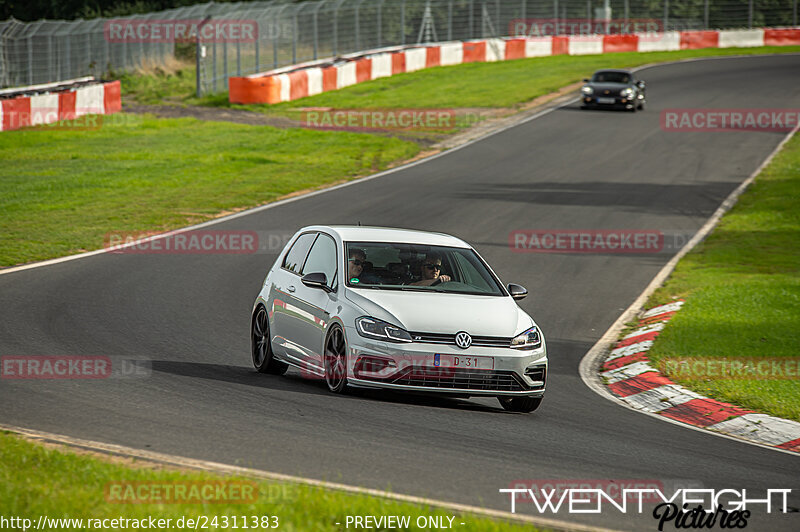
point(38, 481)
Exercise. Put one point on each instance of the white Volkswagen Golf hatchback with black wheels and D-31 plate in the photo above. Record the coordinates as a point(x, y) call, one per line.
point(398, 309)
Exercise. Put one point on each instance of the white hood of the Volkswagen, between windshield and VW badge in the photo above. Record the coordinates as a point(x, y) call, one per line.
point(444, 313)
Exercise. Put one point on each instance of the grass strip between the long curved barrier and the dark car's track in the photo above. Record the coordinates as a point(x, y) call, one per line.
point(472, 85)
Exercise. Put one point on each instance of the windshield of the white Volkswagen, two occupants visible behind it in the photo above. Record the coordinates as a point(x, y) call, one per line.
point(415, 267)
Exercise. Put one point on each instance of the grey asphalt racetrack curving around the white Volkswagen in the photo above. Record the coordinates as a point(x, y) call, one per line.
point(569, 169)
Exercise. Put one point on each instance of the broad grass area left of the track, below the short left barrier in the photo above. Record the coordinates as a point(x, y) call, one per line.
point(61, 191)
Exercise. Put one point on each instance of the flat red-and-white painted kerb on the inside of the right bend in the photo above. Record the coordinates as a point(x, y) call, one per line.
point(628, 374)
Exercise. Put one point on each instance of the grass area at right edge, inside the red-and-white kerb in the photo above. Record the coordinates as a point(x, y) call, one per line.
point(742, 292)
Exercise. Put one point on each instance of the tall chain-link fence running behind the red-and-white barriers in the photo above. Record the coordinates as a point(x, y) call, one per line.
point(294, 32)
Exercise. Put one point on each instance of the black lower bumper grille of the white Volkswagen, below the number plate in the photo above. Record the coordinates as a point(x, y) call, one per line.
point(458, 378)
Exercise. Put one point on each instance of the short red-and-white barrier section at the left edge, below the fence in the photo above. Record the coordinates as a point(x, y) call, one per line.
point(47, 104)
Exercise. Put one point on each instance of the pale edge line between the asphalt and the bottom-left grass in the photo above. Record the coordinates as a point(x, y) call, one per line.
point(215, 467)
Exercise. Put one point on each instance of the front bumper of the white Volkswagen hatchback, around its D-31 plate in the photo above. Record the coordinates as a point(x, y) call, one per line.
point(413, 367)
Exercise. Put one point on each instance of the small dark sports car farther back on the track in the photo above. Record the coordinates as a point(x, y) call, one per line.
point(613, 89)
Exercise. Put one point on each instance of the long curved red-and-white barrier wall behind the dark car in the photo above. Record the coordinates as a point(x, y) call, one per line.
point(299, 81)
